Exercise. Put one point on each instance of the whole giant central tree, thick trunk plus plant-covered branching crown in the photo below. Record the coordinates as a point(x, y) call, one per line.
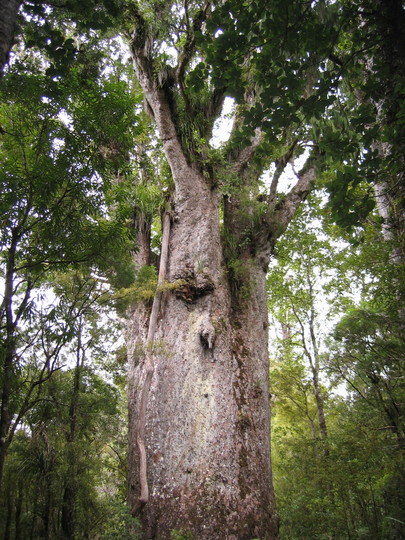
point(199, 450)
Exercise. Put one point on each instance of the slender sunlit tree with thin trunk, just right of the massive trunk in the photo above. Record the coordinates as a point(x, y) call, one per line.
point(303, 289)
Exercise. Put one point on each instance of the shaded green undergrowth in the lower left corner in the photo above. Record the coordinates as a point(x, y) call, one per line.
point(38, 468)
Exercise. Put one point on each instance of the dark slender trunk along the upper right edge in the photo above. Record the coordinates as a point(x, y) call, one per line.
point(389, 19)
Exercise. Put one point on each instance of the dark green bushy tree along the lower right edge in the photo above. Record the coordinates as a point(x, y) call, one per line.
point(367, 355)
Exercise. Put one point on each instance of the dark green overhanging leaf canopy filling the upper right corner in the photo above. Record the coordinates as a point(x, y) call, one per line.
point(332, 70)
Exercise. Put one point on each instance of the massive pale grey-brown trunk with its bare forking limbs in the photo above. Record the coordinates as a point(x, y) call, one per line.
point(199, 418)
